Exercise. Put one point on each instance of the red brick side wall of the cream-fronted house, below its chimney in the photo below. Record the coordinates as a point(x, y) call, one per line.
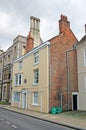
point(58, 68)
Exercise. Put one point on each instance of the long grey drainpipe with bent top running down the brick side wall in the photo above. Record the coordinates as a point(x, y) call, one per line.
point(68, 75)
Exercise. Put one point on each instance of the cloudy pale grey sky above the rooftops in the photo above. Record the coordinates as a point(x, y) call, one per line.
point(15, 18)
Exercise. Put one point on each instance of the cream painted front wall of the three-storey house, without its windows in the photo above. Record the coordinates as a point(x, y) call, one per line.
point(28, 73)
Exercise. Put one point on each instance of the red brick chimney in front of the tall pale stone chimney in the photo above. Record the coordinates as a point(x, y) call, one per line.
point(29, 43)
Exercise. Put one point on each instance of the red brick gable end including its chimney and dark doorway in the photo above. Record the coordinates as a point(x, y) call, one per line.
point(63, 68)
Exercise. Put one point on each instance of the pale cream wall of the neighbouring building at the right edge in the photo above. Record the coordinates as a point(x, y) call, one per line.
point(81, 75)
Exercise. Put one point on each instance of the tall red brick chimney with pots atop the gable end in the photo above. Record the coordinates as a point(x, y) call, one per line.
point(64, 24)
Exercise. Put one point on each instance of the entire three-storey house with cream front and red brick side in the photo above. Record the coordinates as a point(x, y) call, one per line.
point(46, 76)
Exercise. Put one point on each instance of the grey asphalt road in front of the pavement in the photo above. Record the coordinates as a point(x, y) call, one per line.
point(10, 121)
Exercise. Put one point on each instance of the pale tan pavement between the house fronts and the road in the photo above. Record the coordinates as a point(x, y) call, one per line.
point(60, 119)
